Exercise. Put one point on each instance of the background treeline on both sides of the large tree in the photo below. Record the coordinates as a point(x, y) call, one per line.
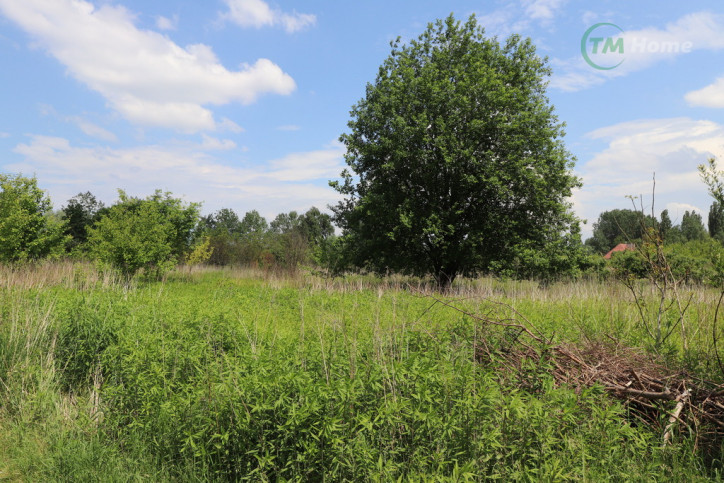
point(155, 234)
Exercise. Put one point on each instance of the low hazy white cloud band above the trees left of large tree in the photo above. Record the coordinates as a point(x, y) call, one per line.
point(294, 182)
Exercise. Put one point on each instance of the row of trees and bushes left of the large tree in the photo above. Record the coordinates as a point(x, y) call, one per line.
point(153, 235)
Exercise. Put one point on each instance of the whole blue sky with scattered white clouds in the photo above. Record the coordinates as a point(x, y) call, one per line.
point(240, 103)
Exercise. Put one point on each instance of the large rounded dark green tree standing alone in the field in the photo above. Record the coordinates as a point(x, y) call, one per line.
point(456, 159)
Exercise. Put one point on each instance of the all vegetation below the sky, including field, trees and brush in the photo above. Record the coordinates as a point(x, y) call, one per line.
point(279, 353)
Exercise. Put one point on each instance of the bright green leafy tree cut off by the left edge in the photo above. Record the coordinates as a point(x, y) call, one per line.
point(28, 229)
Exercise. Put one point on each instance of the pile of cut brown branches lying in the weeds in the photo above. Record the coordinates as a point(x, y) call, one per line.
point(662, 397)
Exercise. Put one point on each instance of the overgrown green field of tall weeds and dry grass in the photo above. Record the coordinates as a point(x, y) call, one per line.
point(237, 375)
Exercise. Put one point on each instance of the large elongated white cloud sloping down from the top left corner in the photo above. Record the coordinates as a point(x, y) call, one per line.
point(143, 75)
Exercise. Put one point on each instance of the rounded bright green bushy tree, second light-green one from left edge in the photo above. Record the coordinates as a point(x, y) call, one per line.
point(152, 234)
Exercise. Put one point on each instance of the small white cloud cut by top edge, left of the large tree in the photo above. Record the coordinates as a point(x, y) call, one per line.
point(258, 14)
